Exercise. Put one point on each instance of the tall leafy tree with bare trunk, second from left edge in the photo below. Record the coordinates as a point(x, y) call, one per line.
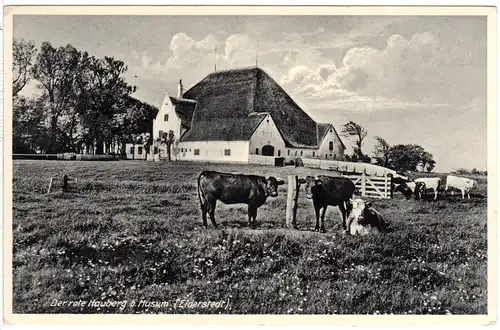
point(55, 70)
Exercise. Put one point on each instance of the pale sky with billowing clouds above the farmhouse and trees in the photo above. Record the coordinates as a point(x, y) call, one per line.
point(407, 79)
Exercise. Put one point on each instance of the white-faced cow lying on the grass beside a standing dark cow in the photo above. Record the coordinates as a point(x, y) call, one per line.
point(364, 218)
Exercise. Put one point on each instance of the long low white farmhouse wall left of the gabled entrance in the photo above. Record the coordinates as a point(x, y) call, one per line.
point(214, 151)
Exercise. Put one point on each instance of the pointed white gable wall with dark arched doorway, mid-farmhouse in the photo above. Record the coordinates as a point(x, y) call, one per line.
point(267, 135)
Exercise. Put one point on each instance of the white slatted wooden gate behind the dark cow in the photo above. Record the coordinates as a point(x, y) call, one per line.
point(372, 186)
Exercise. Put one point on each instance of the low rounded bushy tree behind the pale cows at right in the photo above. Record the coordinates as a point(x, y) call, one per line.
point(410, 157)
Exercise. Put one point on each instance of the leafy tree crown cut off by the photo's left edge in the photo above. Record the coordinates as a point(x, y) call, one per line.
point(22, 58)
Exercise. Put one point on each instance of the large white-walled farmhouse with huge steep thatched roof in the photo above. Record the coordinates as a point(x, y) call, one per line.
point(238, 116)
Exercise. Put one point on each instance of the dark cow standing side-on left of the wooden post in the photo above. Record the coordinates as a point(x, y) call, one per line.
point(234, 189)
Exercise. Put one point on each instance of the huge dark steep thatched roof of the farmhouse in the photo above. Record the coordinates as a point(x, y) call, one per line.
point(228, 100)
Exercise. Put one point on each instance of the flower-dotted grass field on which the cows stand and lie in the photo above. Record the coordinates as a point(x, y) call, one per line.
point(131, 231)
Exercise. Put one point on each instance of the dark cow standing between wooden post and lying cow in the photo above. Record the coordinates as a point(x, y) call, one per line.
point(327, 190)
